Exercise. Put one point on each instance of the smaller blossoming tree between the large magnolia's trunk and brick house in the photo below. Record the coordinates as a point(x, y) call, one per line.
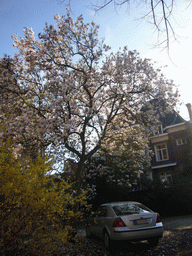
point(124, 155)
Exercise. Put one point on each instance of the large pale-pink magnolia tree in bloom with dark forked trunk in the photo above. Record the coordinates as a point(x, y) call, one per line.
point(72, 89)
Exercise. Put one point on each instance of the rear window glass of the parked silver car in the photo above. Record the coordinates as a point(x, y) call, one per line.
point(130, 208)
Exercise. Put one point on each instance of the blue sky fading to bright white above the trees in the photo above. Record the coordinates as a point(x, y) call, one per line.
point(119, 27)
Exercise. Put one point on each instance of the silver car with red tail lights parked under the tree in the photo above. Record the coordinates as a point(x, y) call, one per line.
point(125, 221)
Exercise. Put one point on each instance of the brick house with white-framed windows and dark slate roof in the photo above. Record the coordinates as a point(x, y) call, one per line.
point(169, 144)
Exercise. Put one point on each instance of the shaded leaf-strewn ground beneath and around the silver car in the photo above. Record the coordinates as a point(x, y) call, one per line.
point(176, 241)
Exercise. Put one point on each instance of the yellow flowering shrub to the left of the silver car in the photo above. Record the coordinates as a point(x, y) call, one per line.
point(37, 214)
